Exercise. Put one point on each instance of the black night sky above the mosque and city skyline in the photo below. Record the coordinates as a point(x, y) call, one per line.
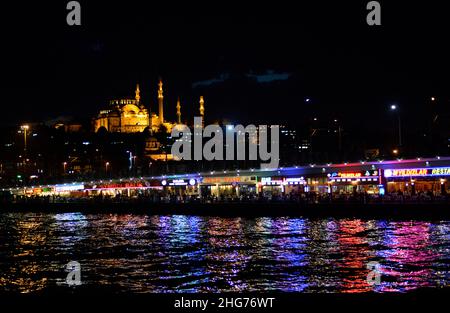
point(252, 63)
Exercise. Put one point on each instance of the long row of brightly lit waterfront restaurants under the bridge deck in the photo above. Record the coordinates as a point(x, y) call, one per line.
point(410, 177)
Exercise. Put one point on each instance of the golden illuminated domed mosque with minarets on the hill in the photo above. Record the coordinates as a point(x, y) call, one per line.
point(131, 116)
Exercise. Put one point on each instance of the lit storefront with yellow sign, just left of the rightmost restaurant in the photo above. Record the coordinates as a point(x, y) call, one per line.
point(355, 182)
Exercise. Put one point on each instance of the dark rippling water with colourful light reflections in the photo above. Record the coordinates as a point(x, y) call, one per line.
point(130, 253)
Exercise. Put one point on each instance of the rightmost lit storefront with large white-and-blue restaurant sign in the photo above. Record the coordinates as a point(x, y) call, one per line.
point(416, 180)
